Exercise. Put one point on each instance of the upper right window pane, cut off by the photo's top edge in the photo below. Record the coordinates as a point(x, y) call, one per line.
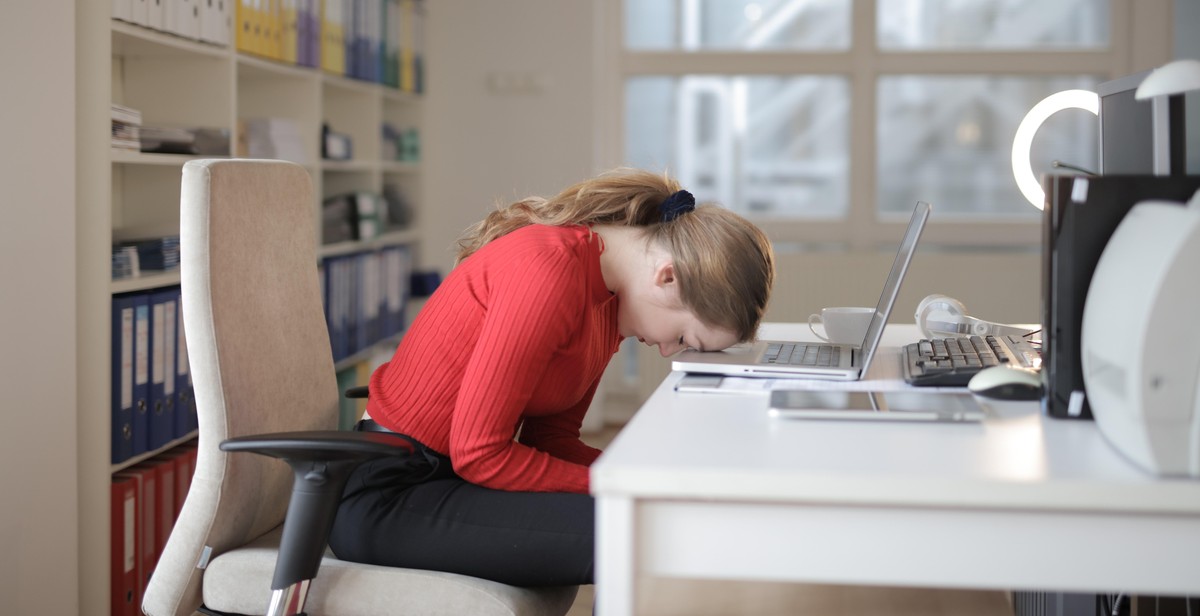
point(993, 25)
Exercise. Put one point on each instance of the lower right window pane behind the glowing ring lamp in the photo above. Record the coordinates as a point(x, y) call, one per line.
point(950, 141)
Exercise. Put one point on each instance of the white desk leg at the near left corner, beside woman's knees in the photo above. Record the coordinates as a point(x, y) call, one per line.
point(616, 564)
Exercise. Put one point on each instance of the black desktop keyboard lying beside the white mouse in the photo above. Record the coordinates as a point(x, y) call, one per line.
point(955, 361)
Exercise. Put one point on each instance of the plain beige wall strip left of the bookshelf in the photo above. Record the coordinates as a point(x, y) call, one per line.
point(39, 537)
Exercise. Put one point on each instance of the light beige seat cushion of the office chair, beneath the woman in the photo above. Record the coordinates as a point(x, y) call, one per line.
point(239, 582)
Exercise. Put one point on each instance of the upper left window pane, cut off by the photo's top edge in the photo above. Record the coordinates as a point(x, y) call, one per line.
point(737, 25)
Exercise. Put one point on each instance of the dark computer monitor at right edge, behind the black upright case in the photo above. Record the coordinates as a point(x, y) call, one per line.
point(1129, 143)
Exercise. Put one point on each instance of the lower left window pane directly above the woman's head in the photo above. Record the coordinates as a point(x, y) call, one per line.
point(765, 146)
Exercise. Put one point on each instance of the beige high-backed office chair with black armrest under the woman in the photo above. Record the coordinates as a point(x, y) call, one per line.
point(265, 380)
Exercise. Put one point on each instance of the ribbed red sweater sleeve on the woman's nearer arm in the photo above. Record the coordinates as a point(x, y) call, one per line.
point(535, 307)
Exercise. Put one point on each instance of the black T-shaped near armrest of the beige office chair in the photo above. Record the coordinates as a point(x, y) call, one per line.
point(322, 463)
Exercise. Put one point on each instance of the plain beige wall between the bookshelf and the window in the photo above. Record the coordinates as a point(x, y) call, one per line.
point(509, 111)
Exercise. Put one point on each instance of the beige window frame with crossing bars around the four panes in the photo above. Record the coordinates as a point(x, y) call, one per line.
point(1139, 40)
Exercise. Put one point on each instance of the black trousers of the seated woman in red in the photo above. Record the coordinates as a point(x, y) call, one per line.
point(417, 513)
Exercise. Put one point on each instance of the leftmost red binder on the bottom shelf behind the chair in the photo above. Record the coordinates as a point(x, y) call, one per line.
point(124, 549)
